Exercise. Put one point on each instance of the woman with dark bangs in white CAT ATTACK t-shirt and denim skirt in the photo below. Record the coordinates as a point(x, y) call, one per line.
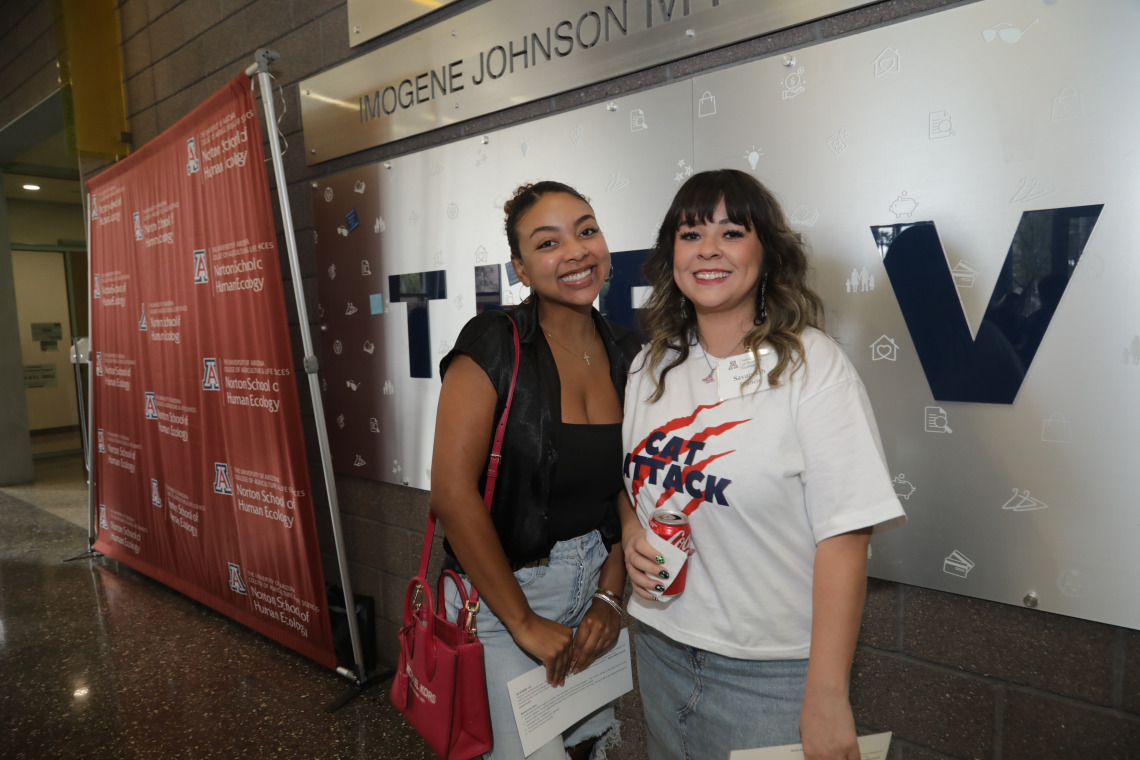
point(743, 414)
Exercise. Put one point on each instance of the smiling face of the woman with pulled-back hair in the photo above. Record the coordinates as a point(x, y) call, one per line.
point(563, 254)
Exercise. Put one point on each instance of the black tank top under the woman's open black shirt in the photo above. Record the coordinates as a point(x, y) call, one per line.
point(588, 479)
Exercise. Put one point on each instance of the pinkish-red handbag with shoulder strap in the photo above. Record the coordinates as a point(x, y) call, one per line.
point(441, 685)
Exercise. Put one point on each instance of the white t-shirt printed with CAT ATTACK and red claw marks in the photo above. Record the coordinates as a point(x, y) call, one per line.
point(766, 475)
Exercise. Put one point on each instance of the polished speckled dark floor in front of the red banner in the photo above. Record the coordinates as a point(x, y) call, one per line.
point(100, 663)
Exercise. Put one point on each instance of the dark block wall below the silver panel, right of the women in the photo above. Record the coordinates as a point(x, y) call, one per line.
point(957, 677)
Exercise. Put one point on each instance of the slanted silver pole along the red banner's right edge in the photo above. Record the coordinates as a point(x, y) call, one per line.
point(264, 58)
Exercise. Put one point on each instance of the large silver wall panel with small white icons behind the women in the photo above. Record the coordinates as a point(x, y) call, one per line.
point(966, 119)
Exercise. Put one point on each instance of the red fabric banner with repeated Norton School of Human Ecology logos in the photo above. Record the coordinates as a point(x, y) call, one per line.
point(201, 473)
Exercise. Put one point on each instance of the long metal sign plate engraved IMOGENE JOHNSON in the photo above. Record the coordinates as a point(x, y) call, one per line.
point(512, 52)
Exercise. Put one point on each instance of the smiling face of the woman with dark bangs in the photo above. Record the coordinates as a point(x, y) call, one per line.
point(718, 265)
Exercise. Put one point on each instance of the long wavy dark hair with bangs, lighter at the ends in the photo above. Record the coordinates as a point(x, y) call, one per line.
point(792, 306)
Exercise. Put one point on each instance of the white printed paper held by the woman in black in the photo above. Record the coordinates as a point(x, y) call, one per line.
point(543, 712)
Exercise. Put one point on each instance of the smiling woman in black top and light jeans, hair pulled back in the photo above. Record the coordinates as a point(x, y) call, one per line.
point(547, 559)
